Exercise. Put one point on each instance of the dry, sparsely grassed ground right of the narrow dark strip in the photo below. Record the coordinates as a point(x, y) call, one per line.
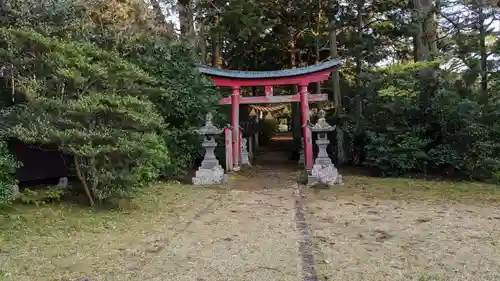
point(403, 229)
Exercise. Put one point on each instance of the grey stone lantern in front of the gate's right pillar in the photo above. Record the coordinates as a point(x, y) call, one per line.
point(323, 170)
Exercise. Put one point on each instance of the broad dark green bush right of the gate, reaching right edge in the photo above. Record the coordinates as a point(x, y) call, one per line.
point(409, 129)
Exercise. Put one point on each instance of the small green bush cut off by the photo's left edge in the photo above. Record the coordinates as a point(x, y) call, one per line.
point(8, 166)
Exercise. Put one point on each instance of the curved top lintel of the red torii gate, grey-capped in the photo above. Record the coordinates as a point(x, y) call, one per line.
point(296, 76)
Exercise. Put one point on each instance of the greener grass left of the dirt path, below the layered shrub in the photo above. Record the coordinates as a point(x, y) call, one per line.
point(69, 242)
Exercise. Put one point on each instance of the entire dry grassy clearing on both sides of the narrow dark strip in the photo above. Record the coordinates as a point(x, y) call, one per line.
point(368, 229)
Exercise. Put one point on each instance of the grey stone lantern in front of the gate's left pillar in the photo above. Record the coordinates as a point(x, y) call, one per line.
point(210, 172)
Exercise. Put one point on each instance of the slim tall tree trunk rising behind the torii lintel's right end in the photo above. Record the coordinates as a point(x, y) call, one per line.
point(337, 96)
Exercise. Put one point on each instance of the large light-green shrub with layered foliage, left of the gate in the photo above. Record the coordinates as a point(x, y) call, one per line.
point(91, 103)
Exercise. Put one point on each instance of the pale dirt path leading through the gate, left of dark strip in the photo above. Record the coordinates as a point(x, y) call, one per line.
point(250, 233)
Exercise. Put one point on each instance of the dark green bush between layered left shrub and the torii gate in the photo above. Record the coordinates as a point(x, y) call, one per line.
point(186, 98)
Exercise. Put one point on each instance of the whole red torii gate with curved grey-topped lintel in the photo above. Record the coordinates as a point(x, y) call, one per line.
point(302, 77)
